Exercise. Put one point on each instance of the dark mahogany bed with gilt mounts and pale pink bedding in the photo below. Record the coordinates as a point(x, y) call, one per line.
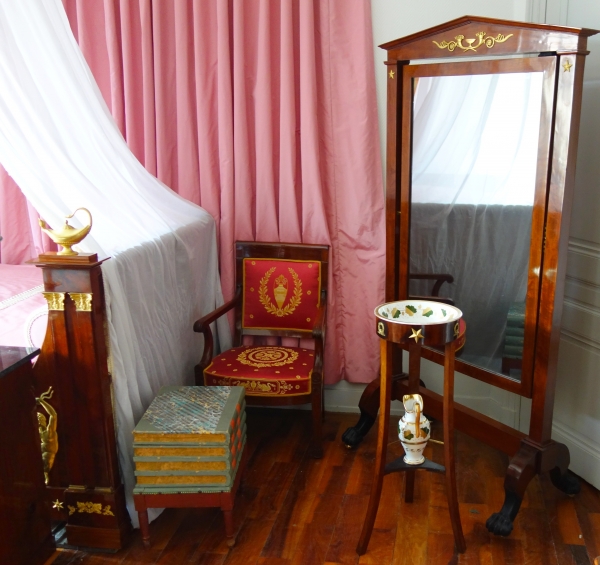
point(59, 306)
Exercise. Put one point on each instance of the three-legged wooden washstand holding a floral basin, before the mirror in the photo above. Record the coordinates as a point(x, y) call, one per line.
point(415, 323)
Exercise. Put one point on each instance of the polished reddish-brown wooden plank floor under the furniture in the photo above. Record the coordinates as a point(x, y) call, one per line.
point(294, 510)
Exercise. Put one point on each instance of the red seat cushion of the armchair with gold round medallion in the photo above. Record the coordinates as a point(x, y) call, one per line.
point(263, 370)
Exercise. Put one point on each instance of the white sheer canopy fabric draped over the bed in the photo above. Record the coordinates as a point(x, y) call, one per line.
point(60, 144)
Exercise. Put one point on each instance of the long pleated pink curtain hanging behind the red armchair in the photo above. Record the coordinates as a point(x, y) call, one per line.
point(264, 113)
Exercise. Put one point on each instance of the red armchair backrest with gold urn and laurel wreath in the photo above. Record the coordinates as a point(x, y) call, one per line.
point(283, 288)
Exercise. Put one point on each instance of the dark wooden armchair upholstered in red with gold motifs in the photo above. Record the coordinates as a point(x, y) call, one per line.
point(281, 290)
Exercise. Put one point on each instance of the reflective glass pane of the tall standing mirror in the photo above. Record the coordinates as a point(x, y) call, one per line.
point(475, 148)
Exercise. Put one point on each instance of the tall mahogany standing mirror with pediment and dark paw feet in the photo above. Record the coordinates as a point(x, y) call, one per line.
point(482, 128)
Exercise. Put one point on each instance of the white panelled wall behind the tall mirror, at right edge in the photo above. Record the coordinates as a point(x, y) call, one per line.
point(577, 403)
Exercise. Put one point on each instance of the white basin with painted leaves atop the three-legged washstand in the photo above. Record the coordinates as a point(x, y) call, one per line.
point(417, 312)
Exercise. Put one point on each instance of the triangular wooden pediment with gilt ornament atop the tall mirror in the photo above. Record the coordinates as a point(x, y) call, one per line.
point(471, 36)
